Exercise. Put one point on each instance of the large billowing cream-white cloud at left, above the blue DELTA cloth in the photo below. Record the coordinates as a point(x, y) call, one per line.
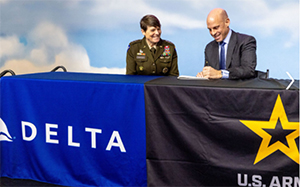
point(49, 41)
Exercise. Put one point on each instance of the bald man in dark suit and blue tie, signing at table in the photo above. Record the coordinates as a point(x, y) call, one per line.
point(239, 56)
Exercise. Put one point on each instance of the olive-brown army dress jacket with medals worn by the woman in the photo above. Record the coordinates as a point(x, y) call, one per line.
point(139, 60)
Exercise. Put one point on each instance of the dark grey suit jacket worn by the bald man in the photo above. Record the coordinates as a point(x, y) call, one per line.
point(240, 59)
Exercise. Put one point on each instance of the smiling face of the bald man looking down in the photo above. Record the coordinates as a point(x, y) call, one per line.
point(218, 28)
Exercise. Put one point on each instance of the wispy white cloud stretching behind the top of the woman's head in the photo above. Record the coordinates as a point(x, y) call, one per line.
point(116, 13)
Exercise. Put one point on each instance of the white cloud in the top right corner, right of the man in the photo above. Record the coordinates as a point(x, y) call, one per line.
point(269, 19)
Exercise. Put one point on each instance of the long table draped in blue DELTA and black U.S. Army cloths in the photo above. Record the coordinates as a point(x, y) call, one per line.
point(79, 129)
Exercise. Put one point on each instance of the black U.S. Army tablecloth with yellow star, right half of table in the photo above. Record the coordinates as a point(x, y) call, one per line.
point(222, 133)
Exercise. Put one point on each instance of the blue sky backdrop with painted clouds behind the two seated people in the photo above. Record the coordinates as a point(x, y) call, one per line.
point(93, 36)
